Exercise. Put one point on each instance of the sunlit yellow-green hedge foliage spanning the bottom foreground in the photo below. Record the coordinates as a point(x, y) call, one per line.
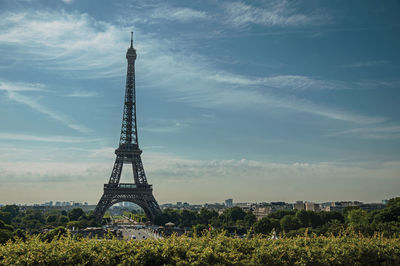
point(350, 249)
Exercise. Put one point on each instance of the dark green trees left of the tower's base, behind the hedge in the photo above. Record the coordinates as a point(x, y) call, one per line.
point(16, 223)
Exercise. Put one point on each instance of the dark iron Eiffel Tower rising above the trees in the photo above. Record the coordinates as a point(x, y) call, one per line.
point(139, 192)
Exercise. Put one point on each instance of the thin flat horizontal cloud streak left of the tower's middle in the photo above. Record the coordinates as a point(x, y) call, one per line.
point(57, 139)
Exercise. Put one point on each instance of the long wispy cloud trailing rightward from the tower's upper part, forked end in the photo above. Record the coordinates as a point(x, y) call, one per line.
point(217, 89)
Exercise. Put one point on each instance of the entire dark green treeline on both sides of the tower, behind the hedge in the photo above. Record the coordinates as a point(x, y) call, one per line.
point(16, 223)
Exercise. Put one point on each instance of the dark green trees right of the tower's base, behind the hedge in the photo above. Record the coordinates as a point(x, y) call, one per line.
point(235, 220)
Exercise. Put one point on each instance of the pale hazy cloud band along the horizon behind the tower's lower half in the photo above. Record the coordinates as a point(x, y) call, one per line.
point(204, 180)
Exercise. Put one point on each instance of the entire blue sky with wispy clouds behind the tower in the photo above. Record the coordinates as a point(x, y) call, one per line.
point(250, 100)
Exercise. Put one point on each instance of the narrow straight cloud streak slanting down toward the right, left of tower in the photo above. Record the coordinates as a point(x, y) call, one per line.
point(44, 110)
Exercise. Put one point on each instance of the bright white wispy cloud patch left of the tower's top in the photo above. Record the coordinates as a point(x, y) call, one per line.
point(49, 40)
